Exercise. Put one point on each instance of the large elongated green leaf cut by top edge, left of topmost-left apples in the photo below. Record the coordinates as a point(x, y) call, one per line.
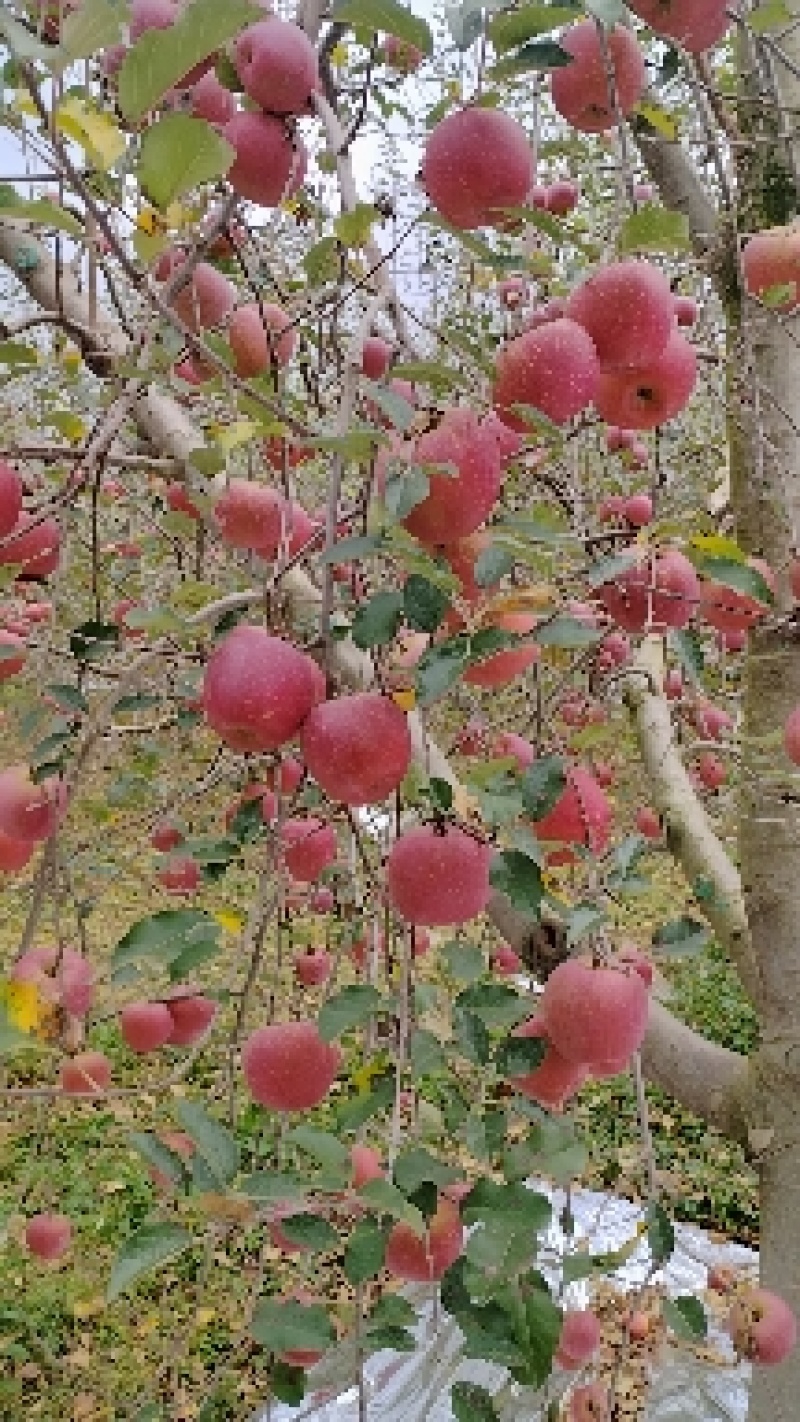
point(161, 59)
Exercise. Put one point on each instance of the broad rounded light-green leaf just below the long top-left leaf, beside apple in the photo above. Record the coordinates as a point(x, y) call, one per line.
point(178, 154)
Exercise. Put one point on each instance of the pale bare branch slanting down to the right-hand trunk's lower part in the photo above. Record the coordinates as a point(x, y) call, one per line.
point(690, 833)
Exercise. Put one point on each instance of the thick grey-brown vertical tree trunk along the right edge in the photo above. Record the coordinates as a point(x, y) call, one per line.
point(765, 459)
